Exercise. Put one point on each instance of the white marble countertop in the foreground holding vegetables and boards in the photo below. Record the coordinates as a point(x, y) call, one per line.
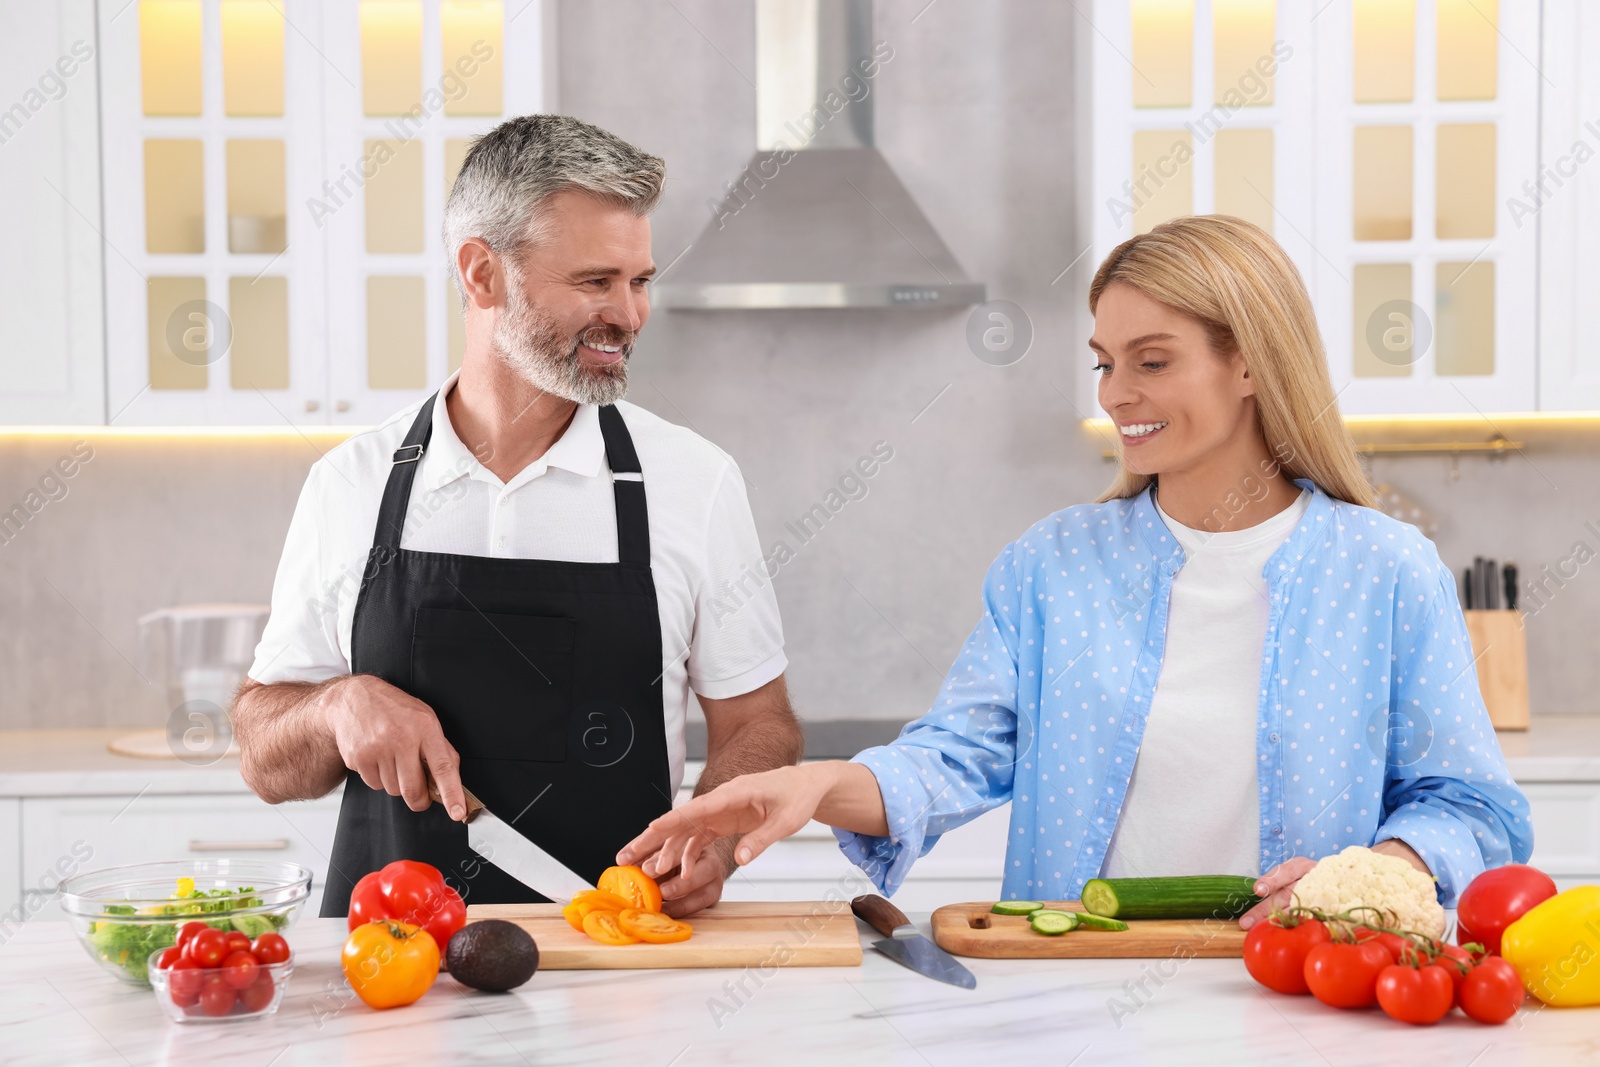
point(57, 1007)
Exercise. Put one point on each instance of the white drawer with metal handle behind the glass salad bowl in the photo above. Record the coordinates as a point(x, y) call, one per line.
point(66, 836)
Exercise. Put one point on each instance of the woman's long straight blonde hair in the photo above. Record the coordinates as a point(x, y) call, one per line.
point(1244, 289)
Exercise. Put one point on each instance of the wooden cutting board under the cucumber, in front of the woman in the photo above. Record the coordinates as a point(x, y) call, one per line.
point(970, 930)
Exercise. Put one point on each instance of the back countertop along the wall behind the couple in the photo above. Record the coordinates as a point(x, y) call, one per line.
point(78, 762)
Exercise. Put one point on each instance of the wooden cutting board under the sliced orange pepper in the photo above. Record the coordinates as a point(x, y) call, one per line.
point(734, 933)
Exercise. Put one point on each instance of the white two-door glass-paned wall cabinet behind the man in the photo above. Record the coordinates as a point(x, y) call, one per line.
point(303, 281)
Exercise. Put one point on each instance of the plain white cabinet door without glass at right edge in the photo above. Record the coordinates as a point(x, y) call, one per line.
point(1567, 207)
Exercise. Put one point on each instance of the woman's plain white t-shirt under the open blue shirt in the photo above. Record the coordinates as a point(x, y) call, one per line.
point(1191, 805)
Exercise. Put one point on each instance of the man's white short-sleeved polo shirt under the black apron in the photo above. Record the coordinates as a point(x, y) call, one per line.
point(721, 631)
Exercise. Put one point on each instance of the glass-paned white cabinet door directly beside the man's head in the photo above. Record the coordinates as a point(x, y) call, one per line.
point(425, 79)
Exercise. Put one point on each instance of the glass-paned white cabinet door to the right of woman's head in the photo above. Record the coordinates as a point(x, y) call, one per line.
point(1426, 270)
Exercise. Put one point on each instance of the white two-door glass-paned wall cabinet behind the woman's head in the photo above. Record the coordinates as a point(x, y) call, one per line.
point(1390, 159)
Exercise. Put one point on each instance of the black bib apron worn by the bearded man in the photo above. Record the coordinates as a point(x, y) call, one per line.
point(545, 676)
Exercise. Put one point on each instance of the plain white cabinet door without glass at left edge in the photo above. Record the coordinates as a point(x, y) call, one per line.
point(52, 361)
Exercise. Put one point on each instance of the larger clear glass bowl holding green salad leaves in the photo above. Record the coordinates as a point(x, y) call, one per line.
point(126, 916)
